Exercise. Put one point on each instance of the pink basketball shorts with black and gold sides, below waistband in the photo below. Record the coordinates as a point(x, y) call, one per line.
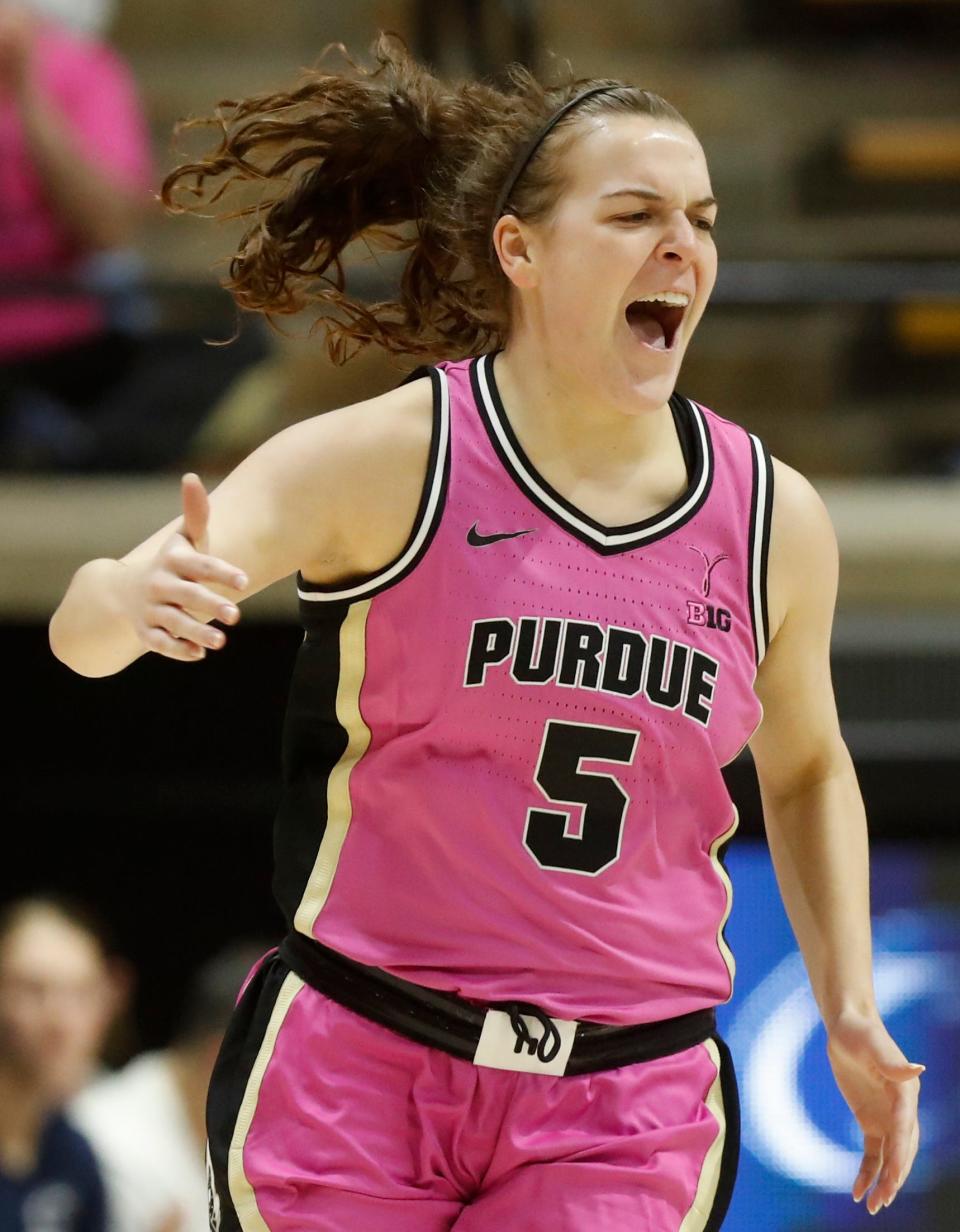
point(323, 1122)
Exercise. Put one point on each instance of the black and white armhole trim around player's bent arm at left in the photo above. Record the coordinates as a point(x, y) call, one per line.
point(428, 513)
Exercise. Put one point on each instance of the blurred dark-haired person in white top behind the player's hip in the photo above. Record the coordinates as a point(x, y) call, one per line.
point(147, 1122)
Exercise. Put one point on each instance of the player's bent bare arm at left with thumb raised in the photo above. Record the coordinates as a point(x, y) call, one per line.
point(335, 497)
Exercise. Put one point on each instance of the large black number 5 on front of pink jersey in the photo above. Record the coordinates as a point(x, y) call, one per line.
point(548, 832)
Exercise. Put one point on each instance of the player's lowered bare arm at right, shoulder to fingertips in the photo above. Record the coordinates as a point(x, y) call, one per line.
point(816, 829)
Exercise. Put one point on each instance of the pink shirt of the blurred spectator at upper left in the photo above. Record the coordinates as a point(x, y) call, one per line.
point(96, 93)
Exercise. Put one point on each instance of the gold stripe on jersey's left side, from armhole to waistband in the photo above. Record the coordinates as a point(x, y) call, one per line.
point(340, 805)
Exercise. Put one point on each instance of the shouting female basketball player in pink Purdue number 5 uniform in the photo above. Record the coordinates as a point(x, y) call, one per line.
point(542, 615)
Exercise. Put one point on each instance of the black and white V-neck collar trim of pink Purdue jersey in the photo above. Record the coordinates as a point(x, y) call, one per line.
point(607, 540)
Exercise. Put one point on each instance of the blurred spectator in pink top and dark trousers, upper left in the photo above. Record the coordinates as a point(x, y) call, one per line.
point(87, 381)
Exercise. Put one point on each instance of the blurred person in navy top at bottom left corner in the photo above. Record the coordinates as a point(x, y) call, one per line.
point(56, 1002)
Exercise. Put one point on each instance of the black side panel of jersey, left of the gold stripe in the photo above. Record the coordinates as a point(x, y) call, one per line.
point(314, 744)
